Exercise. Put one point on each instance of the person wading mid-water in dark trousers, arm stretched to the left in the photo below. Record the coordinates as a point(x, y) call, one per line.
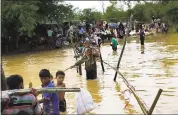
point(90, 54)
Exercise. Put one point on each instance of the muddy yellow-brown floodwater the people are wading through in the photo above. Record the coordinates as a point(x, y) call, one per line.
point(156, 68)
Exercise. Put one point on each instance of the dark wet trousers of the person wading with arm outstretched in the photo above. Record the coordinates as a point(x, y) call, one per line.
point(91, 72)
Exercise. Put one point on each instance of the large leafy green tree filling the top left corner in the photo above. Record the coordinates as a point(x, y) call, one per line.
point(18, 17)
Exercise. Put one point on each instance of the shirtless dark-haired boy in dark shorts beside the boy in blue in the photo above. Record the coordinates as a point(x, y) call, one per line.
point(60, 75)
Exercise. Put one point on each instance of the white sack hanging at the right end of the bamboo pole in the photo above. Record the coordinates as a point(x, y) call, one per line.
point(84, 102)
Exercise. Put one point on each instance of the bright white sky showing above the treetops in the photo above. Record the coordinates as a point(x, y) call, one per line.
point(95, 4)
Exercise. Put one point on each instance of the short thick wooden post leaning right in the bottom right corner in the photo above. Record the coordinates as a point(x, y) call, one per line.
point(155, 102)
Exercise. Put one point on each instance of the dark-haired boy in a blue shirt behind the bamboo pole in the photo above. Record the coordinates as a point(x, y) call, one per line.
point(50, 100)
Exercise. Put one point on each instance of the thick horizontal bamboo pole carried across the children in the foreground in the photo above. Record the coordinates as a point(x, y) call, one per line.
point(41, 90)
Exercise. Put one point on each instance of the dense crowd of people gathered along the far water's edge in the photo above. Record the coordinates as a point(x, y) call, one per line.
point(57, 37)
